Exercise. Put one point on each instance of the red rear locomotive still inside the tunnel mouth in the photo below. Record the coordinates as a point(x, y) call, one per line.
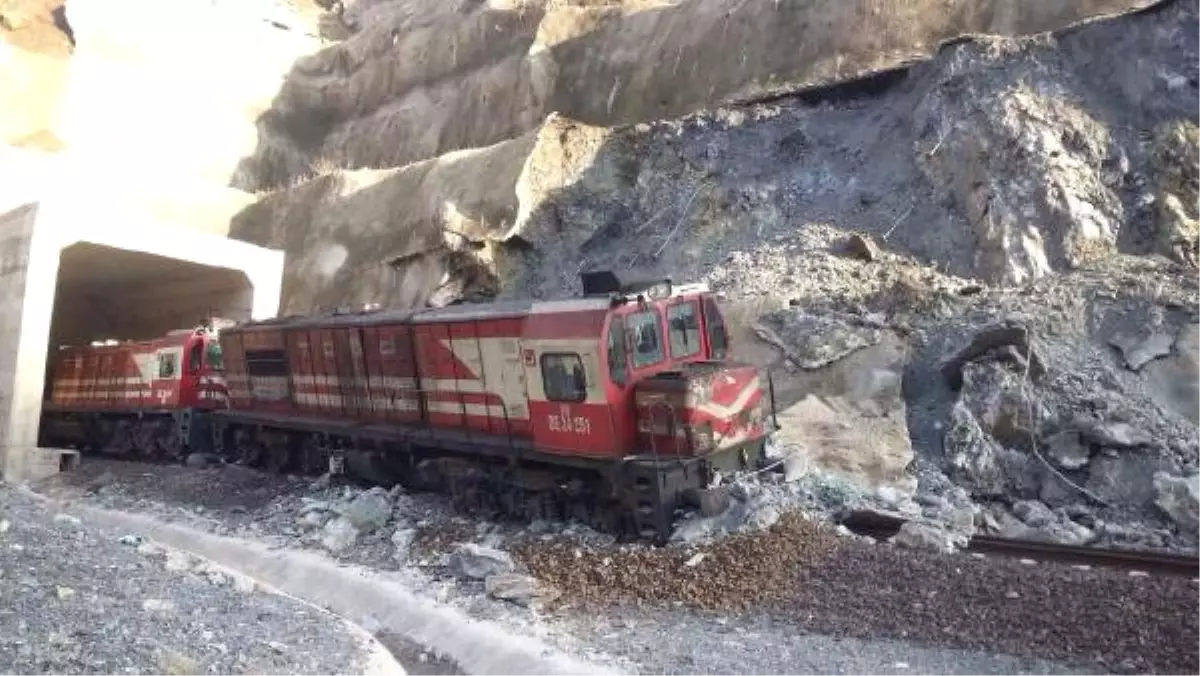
point(146, 399)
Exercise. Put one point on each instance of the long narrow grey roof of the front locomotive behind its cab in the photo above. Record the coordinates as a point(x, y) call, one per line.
point(463, 313)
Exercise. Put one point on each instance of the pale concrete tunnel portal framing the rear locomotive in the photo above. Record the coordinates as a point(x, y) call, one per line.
point(65, 284)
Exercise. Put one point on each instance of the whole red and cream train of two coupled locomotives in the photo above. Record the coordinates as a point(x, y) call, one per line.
point(615, 408)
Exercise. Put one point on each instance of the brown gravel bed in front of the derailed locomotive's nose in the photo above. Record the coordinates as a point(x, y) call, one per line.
point(803, 575)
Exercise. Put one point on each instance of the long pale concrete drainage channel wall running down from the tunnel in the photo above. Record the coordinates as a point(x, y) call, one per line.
point(361, 596)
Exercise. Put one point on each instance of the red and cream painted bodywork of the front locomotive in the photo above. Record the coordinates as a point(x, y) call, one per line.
point(561, 375)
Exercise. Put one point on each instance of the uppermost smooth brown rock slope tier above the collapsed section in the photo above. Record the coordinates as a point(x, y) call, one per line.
point(380, 98)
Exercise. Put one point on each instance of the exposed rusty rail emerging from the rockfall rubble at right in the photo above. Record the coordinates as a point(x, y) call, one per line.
point(1161, 564)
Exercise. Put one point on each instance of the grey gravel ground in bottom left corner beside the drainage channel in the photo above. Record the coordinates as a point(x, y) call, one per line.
point(85, 601)
